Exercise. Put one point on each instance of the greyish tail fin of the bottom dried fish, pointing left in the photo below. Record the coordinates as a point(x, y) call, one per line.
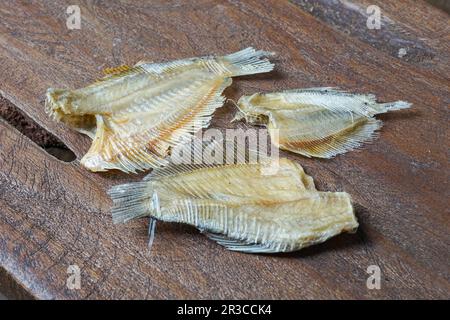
point(131, 201)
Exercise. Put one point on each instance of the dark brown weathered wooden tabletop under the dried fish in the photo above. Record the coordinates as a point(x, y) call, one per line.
point(54, 214)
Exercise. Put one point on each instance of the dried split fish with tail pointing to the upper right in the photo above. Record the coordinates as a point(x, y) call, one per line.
point(136, 114)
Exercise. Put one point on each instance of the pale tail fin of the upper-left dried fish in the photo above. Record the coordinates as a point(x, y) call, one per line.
point(249, 61)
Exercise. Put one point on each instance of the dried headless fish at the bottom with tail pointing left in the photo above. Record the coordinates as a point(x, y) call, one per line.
point(240, 205)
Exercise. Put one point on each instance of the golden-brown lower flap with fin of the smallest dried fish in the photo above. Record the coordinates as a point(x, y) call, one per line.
point(344, 139)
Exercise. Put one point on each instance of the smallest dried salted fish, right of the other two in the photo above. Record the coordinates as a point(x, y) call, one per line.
point(316, 122)
